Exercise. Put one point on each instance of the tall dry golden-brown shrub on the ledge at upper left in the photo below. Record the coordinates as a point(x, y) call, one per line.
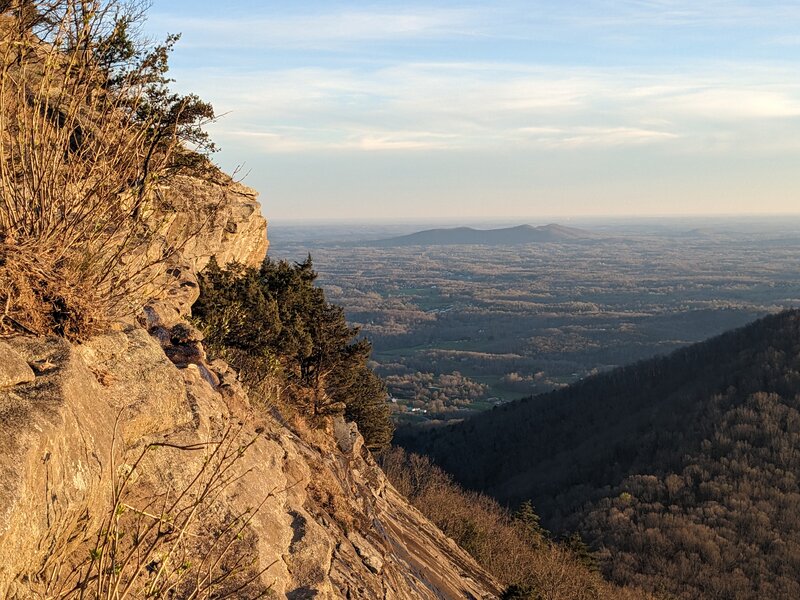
point(82, 147)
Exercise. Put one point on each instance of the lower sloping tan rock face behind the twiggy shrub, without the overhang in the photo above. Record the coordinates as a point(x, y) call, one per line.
point(327, 524)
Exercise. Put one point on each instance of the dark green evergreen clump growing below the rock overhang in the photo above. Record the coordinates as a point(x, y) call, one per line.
point(273, 322)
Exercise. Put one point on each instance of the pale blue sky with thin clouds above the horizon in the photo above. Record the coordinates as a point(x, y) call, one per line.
point(506, 109)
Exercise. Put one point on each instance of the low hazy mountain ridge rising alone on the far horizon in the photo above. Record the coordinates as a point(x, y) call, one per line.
point(509, 236)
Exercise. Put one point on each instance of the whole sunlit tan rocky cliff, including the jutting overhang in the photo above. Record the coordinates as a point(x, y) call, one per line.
point(133, 462)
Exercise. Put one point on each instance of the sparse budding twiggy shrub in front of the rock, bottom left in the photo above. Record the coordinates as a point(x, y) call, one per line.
point(179, 541)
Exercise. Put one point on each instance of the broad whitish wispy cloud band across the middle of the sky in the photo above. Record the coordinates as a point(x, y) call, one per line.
point(462, 106)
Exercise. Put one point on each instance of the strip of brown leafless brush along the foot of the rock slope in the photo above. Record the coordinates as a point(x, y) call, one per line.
point(500, 543)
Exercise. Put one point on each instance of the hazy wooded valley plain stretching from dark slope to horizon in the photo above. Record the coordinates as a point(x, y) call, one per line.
point(462, 327)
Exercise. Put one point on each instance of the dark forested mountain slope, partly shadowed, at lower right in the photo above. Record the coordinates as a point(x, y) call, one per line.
point(682, 471)
